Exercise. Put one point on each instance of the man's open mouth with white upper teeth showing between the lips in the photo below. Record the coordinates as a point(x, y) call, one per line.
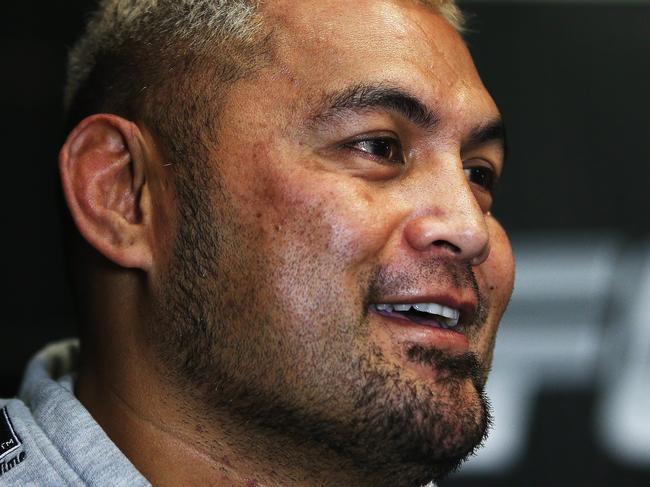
point(427, 314)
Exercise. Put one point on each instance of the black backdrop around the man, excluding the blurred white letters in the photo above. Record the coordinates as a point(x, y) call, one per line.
point(572, 80)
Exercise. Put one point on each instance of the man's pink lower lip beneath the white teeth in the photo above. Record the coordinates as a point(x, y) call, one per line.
point(404, 330)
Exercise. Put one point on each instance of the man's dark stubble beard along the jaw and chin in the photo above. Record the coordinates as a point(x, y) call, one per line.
point(369, 414)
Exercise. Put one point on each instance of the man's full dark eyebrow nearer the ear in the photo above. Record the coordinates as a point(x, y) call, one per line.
point(360, 97)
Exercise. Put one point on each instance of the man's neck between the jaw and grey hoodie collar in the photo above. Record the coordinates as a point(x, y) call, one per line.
point(159, 430)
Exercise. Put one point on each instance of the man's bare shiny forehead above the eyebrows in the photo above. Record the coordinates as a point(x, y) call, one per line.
point(325, 45)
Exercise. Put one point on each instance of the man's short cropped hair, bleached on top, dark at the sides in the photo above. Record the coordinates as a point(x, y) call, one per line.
point(163, 62)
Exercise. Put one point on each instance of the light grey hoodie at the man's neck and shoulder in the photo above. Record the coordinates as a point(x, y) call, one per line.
point(47, 438)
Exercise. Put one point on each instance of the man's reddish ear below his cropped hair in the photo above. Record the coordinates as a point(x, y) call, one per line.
point(104, 185)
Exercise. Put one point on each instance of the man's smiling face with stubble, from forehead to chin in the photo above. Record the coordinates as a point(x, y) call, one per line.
point(347, 182)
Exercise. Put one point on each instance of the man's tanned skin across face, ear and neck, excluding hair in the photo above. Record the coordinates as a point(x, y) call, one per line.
point(345, 175)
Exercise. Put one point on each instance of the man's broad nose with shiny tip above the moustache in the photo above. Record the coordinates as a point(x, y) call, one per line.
point(451, 223)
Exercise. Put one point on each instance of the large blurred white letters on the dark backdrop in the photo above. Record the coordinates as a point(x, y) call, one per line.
point(579, 319)
